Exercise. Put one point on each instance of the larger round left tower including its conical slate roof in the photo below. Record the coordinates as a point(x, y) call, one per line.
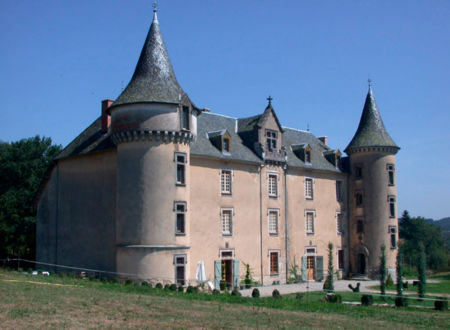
point(152, 123)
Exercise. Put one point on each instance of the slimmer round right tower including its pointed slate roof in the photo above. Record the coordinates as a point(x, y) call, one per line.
point(373, 193)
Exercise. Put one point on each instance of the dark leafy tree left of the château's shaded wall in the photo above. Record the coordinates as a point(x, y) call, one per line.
point(22, 168)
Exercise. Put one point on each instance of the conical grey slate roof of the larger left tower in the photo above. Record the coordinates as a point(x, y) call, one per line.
point(153, 79)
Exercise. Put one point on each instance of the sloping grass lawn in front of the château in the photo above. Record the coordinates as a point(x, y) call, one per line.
point(53, 302)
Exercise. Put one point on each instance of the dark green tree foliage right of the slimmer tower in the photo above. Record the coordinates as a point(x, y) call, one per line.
point(414, 231)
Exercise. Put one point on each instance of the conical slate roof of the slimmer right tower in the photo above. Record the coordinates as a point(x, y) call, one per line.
point(371, 131)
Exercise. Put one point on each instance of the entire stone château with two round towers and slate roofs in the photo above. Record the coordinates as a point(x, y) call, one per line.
point(155, 185)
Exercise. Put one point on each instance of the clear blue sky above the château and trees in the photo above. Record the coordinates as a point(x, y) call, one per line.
point(59, 59)
